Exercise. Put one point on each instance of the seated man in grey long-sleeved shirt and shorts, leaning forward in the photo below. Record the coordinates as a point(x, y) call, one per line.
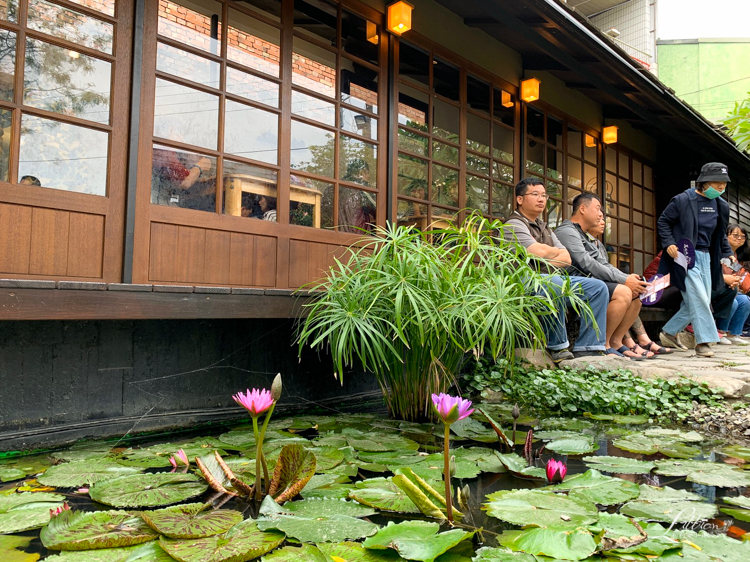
point(588, 260)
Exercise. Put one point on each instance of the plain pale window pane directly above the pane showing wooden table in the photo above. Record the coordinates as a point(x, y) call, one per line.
point(251, 132)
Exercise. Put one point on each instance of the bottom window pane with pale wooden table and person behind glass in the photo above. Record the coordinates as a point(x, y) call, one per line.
point(244, 185)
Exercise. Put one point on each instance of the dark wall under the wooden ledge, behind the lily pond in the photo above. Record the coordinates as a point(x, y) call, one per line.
point(63, 380)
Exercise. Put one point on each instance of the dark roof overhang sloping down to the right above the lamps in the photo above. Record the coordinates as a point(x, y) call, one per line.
point(553, 38)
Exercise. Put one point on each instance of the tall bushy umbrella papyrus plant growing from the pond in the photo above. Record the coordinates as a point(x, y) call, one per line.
point(408, 307)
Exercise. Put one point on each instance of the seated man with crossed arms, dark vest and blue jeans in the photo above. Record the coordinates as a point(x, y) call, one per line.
point(526, 227)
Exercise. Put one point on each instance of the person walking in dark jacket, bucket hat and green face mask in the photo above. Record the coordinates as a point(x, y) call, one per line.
point(701, 216)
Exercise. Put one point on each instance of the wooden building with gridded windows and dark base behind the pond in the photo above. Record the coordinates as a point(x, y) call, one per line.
point(170, 171)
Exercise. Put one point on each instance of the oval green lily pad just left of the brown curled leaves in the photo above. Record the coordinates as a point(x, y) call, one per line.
point(147, 490)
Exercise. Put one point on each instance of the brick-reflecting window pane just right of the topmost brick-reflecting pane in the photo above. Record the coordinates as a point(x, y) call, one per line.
point(253, 44)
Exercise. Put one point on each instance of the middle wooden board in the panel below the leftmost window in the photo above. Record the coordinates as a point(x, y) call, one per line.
point(50, 230)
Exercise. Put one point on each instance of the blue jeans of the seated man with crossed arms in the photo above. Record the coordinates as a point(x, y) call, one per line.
point(595, 293)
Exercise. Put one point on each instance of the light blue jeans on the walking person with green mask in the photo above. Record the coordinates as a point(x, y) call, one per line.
point(696, 303)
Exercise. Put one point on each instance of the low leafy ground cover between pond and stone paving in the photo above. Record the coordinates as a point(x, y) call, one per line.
point(593, 390)
